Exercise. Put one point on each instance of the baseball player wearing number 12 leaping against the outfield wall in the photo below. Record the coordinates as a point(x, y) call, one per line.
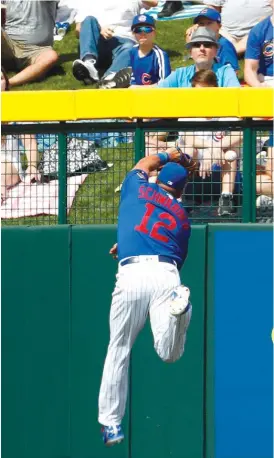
point(153, 235)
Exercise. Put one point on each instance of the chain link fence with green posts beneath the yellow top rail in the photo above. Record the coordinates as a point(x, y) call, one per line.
point(72, 172)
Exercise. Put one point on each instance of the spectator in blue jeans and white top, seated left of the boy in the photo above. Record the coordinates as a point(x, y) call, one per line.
point(105, 35)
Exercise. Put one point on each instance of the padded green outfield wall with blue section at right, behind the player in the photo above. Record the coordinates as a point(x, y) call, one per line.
point(56, 293)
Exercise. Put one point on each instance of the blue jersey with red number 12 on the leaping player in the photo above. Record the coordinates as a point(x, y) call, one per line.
point(151, 221)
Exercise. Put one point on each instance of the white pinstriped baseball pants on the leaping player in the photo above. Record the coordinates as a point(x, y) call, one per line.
point(141, 288)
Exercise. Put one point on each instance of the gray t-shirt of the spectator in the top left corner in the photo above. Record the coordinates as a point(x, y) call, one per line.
point(31, 21)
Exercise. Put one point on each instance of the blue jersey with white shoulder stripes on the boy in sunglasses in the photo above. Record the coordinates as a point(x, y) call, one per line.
point(149, 69)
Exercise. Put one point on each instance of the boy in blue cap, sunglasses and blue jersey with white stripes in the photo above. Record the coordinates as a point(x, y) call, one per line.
point(149, 63)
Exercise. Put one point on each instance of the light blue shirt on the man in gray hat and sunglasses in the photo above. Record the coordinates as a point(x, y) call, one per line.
point(182, 76)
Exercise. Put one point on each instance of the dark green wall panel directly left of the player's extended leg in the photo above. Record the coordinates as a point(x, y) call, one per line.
point(93, 277)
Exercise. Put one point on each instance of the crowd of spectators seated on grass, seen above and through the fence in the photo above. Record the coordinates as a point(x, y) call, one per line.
point(117, 49)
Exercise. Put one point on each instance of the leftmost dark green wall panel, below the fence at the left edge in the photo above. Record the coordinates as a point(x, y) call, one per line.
point(35, 342)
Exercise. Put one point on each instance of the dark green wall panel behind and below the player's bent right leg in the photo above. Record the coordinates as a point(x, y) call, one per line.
point(167, 399)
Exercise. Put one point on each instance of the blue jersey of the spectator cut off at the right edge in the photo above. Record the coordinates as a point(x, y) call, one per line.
point(260, 46)
